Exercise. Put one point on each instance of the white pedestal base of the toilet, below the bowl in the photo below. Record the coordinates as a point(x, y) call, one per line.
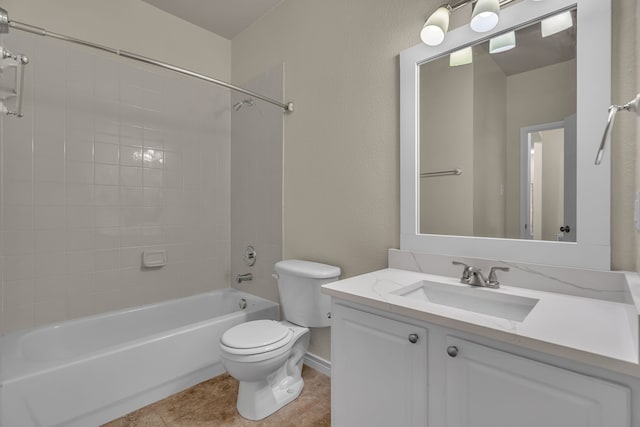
point(259, 399)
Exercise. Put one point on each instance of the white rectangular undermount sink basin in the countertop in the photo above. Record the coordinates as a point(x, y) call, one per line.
point(477, 300)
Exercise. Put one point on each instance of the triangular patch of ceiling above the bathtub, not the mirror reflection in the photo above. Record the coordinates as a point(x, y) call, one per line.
point(227, 18)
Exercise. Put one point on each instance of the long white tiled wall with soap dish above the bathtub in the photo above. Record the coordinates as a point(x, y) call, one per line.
point(110, 159)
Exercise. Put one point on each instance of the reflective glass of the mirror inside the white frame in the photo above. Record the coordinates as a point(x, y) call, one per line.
point(497, 138)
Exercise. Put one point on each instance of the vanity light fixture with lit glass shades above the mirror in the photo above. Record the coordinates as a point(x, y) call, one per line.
point(485, 17)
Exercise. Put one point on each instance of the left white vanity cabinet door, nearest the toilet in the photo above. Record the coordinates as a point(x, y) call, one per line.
point(378, 374)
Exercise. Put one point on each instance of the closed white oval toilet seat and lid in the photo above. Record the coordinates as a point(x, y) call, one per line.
point(256, 337)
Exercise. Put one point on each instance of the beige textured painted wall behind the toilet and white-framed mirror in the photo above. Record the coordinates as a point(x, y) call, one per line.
point(341, 171)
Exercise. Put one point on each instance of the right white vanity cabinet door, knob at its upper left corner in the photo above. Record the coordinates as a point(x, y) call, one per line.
point(491, 388)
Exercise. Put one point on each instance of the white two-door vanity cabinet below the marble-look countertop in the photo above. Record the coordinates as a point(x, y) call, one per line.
point(381, 378)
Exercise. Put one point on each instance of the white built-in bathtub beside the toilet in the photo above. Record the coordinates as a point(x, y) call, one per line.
point(89, 371)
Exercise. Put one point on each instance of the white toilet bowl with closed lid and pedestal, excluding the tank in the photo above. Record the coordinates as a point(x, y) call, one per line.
point(270, 373)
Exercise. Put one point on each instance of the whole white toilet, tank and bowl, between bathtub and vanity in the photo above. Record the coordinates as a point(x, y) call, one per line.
point(266, 355)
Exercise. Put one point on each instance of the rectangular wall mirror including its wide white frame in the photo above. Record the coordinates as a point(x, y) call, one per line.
point(496, 154)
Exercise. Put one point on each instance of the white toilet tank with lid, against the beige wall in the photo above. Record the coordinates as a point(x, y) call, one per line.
point(299, 283)
